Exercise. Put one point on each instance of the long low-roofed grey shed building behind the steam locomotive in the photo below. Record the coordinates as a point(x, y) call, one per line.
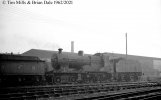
point(150, 66)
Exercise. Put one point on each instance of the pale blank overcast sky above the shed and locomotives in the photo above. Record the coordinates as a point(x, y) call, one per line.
point(94, 26)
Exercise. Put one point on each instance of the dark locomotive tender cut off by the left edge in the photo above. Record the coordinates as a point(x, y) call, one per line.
point(21, 70)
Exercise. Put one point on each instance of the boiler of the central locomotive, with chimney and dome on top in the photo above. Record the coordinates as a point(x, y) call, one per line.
point(76, 62)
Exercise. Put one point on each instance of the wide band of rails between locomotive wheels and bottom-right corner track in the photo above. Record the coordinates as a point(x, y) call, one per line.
point(58, 91)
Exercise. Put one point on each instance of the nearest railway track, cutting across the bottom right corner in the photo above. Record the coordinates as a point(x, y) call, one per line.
point(133, 94)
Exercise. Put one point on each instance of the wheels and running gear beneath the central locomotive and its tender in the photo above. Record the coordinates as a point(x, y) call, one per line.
point(91, 77)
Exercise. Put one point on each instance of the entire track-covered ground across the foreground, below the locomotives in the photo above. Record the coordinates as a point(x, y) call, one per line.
point(99, 91)
